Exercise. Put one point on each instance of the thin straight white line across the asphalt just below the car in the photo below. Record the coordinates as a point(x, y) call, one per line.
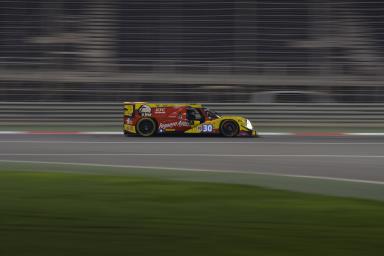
point(190, 155)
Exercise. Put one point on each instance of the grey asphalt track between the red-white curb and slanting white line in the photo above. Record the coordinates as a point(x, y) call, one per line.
point(344, 157)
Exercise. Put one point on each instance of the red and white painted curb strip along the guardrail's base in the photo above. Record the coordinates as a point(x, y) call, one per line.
point(297, 134)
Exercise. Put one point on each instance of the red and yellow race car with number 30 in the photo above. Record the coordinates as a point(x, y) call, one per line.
point(149, 119)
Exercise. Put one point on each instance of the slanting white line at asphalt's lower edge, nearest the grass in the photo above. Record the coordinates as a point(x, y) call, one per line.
point(199, 170)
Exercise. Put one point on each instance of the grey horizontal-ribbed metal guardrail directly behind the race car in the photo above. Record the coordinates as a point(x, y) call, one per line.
point(110, 114)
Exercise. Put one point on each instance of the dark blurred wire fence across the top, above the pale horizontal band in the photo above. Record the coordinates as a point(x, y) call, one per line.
point(218, 36)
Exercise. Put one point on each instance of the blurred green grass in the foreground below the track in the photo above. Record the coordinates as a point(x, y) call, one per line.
point(76, 214)
